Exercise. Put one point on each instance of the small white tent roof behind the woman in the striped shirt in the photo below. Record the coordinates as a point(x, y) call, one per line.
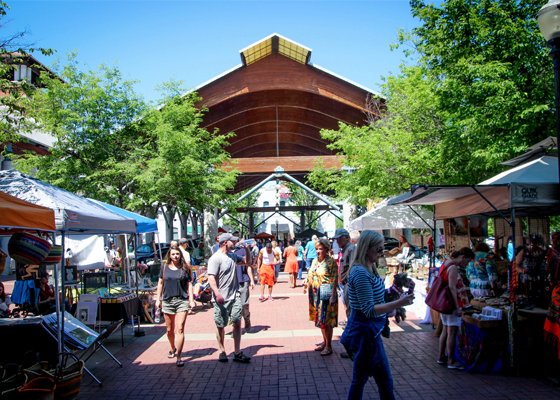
point(384, 216)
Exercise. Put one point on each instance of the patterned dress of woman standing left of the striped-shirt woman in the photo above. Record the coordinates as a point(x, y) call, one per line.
point(321, 311)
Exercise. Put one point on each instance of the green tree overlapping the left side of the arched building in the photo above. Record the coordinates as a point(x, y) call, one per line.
point(180, 161)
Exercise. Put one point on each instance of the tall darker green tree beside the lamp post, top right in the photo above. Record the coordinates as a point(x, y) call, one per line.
point(494, 80)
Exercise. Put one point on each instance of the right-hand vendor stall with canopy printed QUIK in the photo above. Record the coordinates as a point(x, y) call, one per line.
point(528, 190)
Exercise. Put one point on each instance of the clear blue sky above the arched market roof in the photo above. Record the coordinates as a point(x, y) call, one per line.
point(194, 41)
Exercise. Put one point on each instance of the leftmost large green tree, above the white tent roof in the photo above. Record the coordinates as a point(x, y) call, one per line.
point(89, 114)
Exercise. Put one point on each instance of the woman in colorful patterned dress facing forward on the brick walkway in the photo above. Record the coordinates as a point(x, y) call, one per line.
point(323, 274)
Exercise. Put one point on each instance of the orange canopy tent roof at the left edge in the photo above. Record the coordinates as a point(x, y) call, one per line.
point(19, 214)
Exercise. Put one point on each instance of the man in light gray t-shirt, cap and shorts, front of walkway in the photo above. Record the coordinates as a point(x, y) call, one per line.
point(222, 278)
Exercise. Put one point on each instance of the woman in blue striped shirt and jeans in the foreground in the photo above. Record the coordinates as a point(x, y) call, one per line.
point(362, 336)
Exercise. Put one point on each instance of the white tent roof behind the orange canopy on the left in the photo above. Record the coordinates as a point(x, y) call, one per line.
point(73, 214)
